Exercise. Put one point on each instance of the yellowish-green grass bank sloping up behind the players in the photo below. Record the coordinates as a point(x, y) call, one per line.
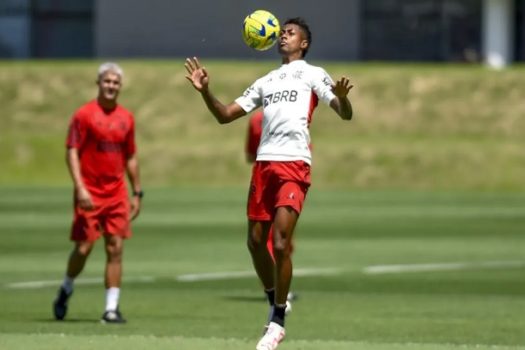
point(419, 126)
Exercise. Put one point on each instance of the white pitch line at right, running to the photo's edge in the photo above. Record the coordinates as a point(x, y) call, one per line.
point(407, 268)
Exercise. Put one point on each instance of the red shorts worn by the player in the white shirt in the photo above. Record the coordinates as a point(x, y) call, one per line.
point(277, 184)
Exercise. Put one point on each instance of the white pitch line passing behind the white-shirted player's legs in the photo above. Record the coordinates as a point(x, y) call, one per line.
point(216, 276)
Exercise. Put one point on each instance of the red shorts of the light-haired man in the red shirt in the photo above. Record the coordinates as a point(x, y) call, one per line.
point(110, 216)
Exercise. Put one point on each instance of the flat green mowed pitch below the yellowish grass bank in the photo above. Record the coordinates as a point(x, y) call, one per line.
point(375, 270)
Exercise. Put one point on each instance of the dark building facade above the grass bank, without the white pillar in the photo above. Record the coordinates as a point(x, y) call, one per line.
point(410, 30)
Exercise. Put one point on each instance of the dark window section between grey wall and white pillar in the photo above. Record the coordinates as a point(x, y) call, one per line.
point(421, 30)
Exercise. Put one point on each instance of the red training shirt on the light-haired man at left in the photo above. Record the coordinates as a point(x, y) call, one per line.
point(104, 140)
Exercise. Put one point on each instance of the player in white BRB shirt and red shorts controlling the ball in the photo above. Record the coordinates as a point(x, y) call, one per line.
point(281, 174)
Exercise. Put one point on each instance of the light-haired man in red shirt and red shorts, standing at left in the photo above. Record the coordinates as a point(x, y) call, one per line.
point(100, 152)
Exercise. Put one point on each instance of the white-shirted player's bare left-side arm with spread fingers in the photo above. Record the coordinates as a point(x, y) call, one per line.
point(198, 77)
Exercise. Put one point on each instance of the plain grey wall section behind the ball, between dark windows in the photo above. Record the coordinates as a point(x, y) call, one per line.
point(166, 28)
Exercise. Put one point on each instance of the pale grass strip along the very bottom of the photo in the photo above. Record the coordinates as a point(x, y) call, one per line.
point(119, 342)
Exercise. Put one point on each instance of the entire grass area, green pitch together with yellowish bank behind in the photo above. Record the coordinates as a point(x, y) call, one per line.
point(411, 237)
